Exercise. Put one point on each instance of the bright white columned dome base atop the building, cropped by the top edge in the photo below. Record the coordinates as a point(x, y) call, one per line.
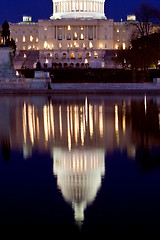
point(78, 9)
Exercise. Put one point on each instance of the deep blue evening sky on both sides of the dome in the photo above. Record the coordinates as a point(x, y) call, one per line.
point(13, 10)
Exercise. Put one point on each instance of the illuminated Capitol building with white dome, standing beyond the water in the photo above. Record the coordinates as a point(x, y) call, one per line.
point(77, 34)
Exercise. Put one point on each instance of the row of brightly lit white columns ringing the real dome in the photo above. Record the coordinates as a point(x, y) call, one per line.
point(79, 6)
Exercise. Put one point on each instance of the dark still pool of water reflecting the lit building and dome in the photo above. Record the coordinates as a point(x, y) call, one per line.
point(81, 165)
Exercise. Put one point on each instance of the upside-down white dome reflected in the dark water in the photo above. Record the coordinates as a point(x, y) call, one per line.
point(79, 175)
